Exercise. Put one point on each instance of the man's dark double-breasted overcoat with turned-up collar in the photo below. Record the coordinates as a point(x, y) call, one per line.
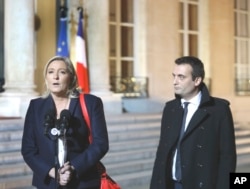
point(208, 152)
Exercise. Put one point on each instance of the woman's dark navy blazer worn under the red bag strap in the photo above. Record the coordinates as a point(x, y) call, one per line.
point(38, 150)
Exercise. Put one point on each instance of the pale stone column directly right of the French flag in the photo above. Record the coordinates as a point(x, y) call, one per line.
point(98, 51)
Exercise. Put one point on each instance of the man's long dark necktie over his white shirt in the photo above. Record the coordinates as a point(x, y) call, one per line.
point(178, 159)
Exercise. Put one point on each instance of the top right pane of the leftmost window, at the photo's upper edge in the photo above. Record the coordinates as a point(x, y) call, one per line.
point(127, 11)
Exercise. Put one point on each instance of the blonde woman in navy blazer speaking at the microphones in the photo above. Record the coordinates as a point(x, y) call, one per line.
point(55, 138)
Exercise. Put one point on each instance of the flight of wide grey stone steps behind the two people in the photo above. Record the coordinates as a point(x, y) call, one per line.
point(133, 144)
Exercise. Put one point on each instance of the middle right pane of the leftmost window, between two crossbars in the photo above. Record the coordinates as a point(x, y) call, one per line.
point(126, 42)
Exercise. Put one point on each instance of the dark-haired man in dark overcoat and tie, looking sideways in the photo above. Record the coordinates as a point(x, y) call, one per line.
point(207, 148)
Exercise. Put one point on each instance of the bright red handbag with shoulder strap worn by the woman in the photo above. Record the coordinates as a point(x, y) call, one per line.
point(106, 181)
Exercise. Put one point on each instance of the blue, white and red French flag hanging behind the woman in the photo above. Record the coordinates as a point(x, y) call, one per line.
point(81, 60)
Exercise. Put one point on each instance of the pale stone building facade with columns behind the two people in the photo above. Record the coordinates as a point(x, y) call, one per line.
point(157, 46)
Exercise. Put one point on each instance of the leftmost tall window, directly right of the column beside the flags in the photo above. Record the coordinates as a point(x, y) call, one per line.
point(121, 26)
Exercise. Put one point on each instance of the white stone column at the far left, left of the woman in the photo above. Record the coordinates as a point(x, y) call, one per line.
point(19, 57)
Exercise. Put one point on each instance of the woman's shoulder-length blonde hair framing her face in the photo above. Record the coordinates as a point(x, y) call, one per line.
point(73, 84)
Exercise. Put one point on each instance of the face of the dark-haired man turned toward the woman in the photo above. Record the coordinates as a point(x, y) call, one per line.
point(184, 85)
